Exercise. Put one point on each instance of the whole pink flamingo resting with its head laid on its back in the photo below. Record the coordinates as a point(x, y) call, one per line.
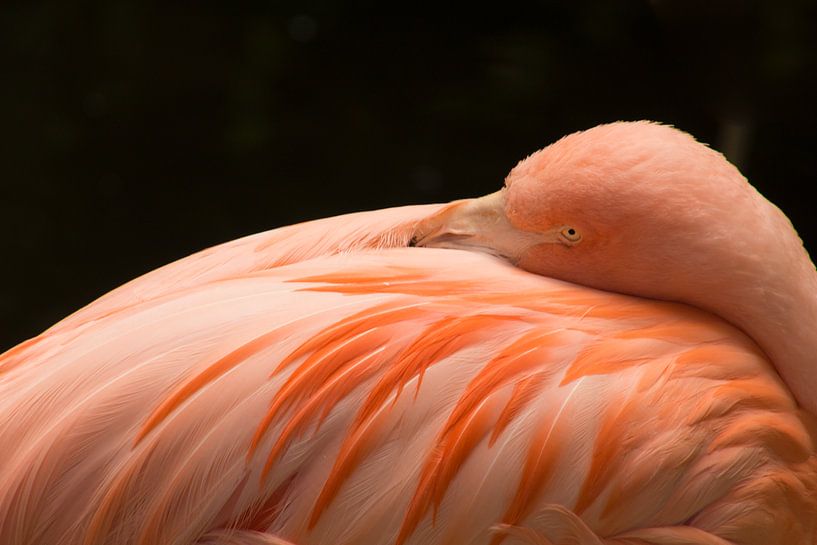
point(616, 348)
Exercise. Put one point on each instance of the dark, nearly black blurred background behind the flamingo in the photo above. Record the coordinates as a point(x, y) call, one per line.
point(134, 132)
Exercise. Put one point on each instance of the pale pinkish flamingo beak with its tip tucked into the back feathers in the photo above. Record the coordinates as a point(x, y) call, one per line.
point(478, 225)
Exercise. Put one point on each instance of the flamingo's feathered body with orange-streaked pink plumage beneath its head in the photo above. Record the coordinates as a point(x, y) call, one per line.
point(324, 384)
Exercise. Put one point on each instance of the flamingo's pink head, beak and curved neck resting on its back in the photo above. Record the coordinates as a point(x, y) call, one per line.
point(644, 209)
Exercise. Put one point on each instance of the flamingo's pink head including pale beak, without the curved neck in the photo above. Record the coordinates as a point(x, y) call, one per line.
point(634, 208)
